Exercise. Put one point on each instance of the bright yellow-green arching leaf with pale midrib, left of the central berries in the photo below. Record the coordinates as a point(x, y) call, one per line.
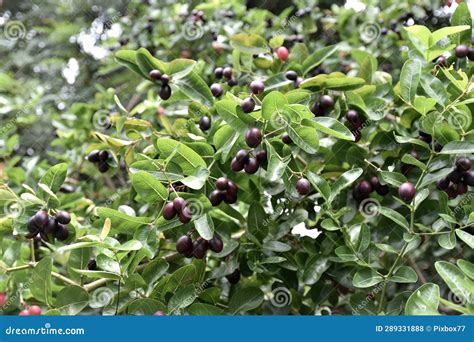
point(181, 154)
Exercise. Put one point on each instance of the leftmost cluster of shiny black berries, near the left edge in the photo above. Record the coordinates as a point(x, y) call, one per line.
point(44, 225)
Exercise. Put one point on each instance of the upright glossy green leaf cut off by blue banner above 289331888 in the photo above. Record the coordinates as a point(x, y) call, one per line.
point(424, 301)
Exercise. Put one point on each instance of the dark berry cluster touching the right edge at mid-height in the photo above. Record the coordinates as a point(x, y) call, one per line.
point(459, 179)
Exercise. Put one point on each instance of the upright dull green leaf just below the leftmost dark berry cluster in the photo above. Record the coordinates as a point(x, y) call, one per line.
point(40, 286)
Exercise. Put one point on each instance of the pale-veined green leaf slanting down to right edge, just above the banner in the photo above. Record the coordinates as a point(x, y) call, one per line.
point(461, 286)
